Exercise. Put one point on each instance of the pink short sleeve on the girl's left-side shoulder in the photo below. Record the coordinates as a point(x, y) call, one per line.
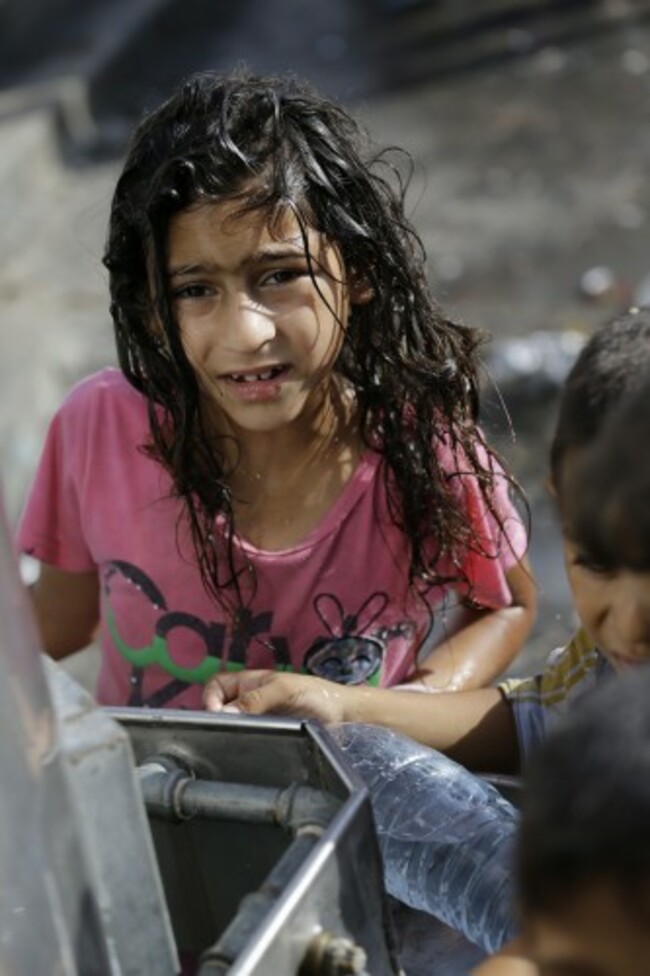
point(51, 526)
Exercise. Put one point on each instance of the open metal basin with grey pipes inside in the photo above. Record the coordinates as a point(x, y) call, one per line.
point(265, 845)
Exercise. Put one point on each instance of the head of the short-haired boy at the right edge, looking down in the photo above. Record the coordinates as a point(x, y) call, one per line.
point(610, 585)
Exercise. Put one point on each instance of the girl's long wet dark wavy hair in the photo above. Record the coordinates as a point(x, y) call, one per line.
point(273, 143)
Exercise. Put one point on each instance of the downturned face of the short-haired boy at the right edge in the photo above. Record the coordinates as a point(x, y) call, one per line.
point(613, 605)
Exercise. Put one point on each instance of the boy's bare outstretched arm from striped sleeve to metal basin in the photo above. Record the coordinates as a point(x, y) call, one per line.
point(476, 728)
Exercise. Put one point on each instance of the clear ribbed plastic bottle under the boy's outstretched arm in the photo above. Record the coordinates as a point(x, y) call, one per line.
point(446, 836)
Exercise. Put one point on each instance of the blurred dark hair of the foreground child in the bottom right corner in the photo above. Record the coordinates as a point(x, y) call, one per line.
point(587, 804)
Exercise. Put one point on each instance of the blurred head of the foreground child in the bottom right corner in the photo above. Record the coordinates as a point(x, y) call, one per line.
point(584, 847)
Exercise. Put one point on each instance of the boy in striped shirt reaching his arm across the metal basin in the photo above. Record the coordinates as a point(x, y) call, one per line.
point(497, 729)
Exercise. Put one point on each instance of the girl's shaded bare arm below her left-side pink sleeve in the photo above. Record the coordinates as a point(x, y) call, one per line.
point(67, 609)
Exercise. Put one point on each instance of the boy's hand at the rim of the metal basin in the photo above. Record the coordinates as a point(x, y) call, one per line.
point(276, 693)
